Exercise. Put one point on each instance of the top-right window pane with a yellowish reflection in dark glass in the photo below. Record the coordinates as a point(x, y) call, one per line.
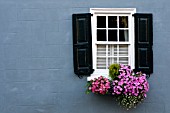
point(123, 22)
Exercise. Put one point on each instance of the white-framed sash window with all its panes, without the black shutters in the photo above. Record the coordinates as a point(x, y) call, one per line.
point(112, 38)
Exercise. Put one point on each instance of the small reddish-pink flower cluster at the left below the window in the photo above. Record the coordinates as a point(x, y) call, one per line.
point(101, 85)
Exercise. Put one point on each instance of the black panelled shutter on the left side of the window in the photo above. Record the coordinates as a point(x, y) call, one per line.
point(82, 44)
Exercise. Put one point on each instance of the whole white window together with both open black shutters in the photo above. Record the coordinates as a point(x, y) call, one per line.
point(112, 35)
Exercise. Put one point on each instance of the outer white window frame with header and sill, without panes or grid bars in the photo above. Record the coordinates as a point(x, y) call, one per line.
point(131, 50)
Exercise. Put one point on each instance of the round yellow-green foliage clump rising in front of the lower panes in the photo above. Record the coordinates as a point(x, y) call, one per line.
point(114, 71)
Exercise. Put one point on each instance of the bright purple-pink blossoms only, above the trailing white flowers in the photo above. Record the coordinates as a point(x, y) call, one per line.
point(129, 84)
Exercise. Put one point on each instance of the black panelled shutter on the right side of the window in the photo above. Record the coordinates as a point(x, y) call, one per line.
point(143, 43)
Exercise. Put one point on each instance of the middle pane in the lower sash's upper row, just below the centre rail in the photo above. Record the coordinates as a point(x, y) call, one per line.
point(112, 50)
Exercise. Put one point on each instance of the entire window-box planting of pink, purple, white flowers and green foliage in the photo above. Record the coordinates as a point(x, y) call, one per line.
point(127, 87)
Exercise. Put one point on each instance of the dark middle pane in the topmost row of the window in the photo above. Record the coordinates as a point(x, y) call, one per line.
point(112, 21)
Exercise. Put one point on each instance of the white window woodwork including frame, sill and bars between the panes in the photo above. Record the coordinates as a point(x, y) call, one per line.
point(130, 43)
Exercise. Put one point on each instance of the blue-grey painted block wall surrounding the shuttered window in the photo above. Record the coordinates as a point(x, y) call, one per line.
point(36, 58)
